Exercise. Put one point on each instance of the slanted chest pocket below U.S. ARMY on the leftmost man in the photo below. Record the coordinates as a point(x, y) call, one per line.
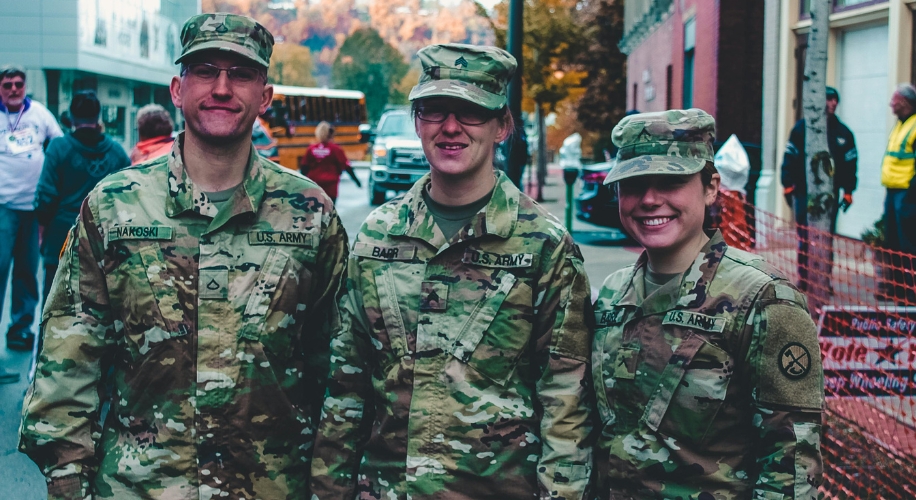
point(276, 308)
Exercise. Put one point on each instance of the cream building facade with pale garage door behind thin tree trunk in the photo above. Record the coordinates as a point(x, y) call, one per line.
point(870, 52)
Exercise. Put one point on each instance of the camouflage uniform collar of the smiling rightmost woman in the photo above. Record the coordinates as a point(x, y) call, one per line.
point(688, 292)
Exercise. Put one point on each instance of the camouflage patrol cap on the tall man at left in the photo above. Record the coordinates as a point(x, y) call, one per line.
point(230, 32)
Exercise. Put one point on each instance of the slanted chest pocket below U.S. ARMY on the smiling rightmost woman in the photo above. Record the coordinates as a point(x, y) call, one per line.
point(699, 394)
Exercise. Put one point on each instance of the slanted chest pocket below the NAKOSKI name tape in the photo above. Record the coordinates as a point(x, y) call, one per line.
point(148, 300)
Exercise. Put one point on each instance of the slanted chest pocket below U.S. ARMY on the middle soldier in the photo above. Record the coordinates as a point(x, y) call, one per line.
point(497, 330)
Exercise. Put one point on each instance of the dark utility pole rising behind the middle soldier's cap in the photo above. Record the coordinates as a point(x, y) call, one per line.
point(517, 147)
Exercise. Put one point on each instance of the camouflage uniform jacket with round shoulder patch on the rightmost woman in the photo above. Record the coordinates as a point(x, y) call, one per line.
point(711, 387)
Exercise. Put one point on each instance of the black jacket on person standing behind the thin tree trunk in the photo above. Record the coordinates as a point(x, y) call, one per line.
point(842, 146)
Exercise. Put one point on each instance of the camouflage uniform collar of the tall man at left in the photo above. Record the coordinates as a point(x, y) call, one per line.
point(184, 195)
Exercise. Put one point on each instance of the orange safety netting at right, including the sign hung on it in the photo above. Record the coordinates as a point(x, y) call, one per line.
point(866, 316)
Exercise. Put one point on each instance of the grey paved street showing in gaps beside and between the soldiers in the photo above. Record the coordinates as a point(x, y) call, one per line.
point(21, 480)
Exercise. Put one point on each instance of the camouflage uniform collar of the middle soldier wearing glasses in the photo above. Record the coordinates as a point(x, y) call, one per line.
point(414, 219)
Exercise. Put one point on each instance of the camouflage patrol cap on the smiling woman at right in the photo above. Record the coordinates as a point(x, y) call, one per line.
point(677, 141)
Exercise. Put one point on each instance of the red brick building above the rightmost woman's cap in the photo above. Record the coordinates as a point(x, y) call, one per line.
point(705, 54)
